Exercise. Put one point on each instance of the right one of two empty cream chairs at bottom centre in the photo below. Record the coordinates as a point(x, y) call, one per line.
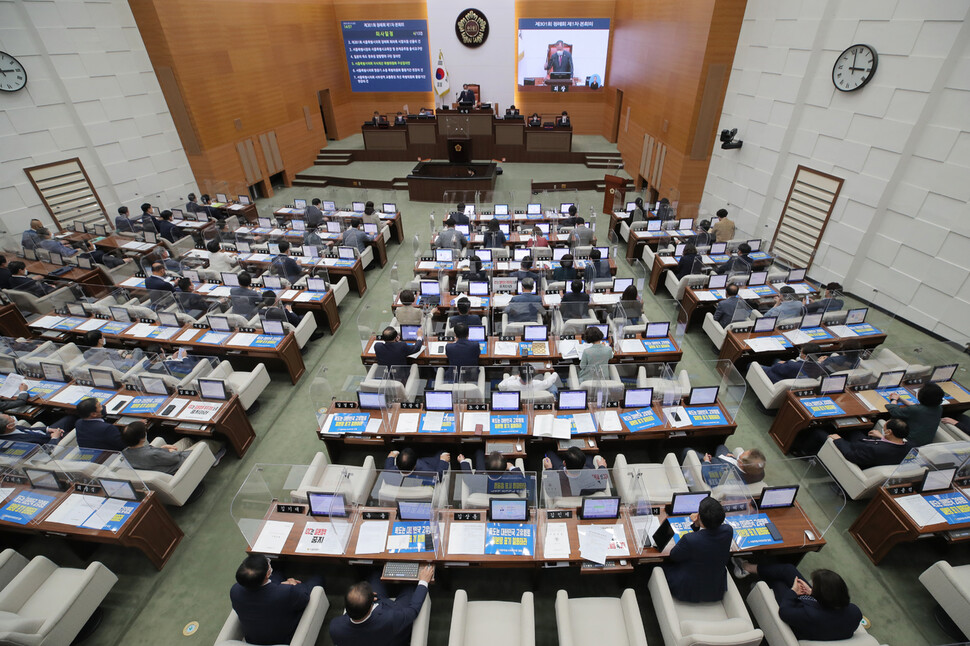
point(604, 621)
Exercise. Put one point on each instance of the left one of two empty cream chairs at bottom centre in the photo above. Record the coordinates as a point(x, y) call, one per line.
point(481, 623)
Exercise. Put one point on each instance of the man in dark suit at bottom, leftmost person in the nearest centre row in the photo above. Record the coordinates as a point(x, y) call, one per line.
point(269, 607)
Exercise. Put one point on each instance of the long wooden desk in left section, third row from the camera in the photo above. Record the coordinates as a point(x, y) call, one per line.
point(262, 348)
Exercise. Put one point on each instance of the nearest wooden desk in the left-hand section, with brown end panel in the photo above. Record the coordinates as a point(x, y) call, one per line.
point(150, 528)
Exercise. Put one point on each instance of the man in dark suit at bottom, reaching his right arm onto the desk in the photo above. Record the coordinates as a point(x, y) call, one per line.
point(374, 619)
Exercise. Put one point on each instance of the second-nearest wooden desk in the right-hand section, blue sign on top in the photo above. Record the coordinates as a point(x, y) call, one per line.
point(800, 412)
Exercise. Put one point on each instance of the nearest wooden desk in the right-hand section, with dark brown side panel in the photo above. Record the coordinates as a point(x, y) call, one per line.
point(884, 524)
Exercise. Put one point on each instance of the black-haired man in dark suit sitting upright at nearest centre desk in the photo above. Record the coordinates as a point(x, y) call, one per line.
point(696, 570)
